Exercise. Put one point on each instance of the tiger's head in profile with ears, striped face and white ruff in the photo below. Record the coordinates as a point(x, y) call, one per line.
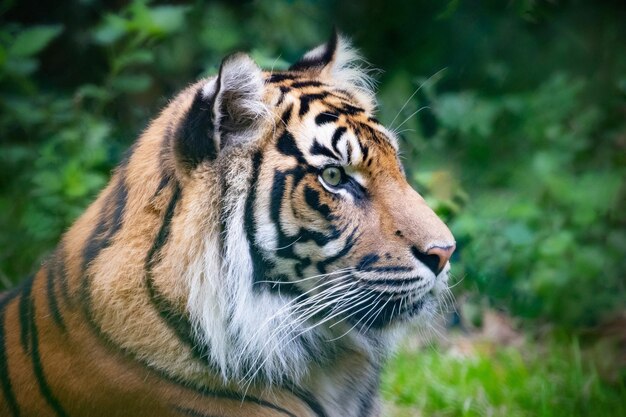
point(319, 243)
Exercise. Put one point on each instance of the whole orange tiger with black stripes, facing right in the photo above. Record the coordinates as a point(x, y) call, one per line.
point(253, 255)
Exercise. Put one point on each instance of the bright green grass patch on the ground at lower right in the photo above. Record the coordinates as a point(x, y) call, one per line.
point(483, 379)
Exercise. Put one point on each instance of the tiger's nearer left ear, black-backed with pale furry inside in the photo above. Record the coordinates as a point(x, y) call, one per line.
point(224, 112)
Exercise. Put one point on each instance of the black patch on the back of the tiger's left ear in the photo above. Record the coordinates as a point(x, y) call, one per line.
point(194, 141)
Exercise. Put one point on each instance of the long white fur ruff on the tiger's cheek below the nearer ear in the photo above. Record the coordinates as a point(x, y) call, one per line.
point(237, 322)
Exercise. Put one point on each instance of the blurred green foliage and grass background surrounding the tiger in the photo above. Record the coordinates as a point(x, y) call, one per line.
point(512, 116)
